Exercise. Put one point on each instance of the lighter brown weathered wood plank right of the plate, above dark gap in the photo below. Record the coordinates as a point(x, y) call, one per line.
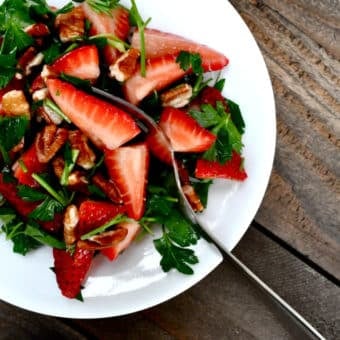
point(302, 203)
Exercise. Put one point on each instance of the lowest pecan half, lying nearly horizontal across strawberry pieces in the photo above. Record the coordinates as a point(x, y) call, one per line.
point(104, 240)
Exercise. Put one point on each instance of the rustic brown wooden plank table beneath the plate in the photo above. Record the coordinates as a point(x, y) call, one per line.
point(294, 242)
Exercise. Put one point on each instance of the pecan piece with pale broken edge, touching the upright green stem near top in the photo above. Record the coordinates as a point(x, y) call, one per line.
point(125, 65)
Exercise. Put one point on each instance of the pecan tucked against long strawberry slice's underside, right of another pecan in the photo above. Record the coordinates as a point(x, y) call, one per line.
point(86, 158)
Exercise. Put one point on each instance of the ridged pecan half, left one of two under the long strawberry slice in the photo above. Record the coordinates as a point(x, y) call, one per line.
point(49, 141)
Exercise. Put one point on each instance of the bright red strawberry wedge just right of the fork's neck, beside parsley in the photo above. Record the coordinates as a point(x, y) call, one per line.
point(184, 132)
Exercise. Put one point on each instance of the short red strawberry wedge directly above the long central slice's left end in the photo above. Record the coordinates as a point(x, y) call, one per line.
point(82, 62)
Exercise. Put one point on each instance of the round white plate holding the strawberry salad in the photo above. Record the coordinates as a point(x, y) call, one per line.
point(135, 281)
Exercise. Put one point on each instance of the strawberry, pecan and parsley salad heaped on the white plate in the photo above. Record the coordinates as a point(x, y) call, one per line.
point(80, 174)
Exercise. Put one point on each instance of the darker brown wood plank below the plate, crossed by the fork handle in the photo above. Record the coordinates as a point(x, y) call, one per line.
point(226, 305)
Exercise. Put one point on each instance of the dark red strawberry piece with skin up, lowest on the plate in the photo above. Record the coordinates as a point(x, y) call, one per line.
point(71, 270)
